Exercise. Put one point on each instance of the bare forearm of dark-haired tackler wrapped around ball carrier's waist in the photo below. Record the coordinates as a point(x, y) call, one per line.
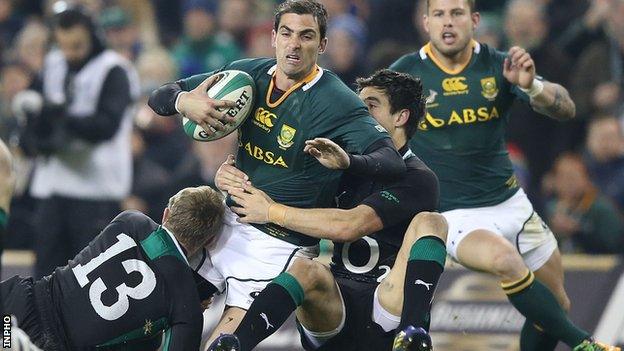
point(322, 223)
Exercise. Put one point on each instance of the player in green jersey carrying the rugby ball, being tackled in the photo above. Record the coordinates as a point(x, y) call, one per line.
point(296, 100)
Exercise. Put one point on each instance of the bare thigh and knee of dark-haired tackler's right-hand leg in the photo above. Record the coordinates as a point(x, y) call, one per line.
point(390, 291)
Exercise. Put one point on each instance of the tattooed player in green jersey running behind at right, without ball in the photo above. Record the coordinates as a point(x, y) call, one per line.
point(492, 224)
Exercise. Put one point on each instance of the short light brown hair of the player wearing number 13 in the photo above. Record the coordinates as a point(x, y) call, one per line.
point(196, 216)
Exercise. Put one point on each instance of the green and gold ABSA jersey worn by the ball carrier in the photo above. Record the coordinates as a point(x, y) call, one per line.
point(272, 139)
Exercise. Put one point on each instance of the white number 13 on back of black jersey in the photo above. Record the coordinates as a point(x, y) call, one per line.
point(141, 291)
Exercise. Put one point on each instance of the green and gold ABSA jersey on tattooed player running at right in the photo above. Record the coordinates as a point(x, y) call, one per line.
point(462, 138)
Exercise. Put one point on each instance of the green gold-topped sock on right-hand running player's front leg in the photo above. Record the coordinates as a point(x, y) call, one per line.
point(538, 304)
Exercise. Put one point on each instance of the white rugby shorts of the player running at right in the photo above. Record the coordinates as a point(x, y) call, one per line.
point(514, 219)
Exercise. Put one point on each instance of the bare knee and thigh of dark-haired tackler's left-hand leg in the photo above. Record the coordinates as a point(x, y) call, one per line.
point(322, 309)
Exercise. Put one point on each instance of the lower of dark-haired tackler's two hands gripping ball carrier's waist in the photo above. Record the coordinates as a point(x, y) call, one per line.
point(253, 204)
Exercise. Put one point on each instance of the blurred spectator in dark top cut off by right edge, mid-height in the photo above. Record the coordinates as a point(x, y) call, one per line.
point(604, 157)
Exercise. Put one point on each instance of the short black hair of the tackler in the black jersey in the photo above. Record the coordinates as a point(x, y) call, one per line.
point(404, 92)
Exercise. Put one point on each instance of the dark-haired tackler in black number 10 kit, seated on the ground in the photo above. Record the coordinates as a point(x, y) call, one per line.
point(388, 251)
